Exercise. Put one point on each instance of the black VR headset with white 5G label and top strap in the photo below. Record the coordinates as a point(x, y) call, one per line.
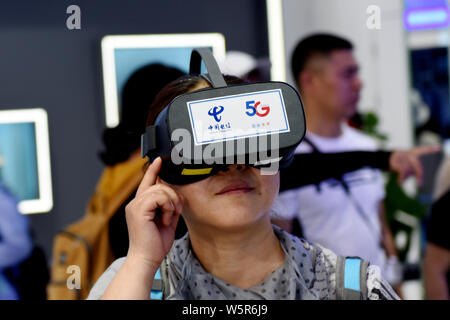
point(203, 132)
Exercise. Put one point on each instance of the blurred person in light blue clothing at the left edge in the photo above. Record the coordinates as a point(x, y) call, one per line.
point(15, 240)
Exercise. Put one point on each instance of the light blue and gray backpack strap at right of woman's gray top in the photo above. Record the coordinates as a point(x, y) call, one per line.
point(351, 275)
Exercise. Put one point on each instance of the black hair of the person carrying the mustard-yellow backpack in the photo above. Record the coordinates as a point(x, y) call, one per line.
point(137, 95)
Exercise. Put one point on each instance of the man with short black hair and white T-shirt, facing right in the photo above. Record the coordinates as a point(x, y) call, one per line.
point(346, 213)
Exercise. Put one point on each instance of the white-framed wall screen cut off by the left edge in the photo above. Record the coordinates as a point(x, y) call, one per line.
point(25, 158)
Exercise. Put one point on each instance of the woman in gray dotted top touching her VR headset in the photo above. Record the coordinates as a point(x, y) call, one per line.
point(231, 250)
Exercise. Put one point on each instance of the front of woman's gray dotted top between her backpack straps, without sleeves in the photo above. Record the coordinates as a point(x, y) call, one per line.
point(302, 276)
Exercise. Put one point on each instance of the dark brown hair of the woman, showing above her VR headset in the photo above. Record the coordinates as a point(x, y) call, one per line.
point(178, 87)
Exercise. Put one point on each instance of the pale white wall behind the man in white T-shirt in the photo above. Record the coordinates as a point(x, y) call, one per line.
point(382, 54)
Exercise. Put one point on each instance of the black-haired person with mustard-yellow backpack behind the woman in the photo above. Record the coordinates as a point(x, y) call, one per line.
point(103, 227)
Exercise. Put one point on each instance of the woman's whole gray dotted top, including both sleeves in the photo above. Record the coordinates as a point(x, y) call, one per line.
point(307, 274)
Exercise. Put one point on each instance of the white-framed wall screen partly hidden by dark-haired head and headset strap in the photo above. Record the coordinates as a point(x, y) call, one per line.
point(124, 54)
